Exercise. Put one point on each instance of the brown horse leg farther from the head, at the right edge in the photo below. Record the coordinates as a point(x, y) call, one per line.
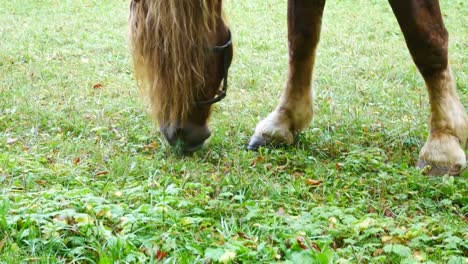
point(427, 40)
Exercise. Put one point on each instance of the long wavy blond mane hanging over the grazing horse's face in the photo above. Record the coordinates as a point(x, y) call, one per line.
point(168, 40)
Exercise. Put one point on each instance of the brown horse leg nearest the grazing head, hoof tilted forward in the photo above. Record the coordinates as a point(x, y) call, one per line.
point(294, 111)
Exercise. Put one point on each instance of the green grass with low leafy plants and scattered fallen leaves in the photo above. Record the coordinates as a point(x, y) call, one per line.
point(86, 177)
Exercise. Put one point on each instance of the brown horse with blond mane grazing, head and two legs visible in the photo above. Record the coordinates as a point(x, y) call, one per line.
point(182, 52)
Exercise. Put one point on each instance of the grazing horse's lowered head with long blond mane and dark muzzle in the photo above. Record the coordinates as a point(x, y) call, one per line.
point(182, 51)
